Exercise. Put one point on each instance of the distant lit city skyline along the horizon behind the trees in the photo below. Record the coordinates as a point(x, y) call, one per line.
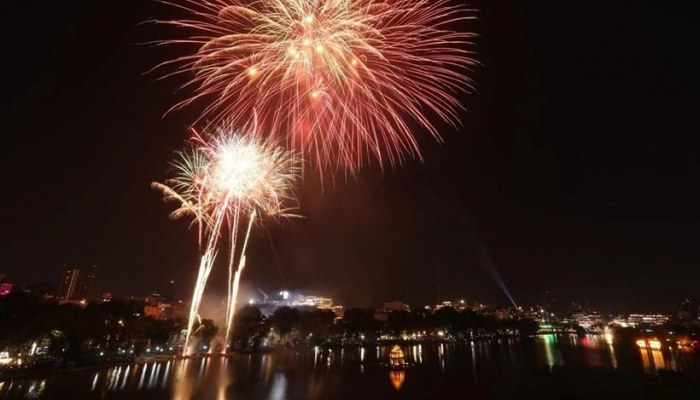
point(78, 284)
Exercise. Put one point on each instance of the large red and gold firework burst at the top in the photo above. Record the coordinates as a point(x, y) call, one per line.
point(337, 78)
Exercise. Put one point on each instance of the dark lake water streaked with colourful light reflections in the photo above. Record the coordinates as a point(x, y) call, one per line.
point(549, 367)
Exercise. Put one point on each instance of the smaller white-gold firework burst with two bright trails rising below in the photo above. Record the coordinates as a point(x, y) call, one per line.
point(224, 180)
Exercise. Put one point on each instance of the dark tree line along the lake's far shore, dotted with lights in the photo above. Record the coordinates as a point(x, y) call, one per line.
point(119, 328)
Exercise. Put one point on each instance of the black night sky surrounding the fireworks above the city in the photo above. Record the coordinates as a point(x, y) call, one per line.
point(576, 169)
